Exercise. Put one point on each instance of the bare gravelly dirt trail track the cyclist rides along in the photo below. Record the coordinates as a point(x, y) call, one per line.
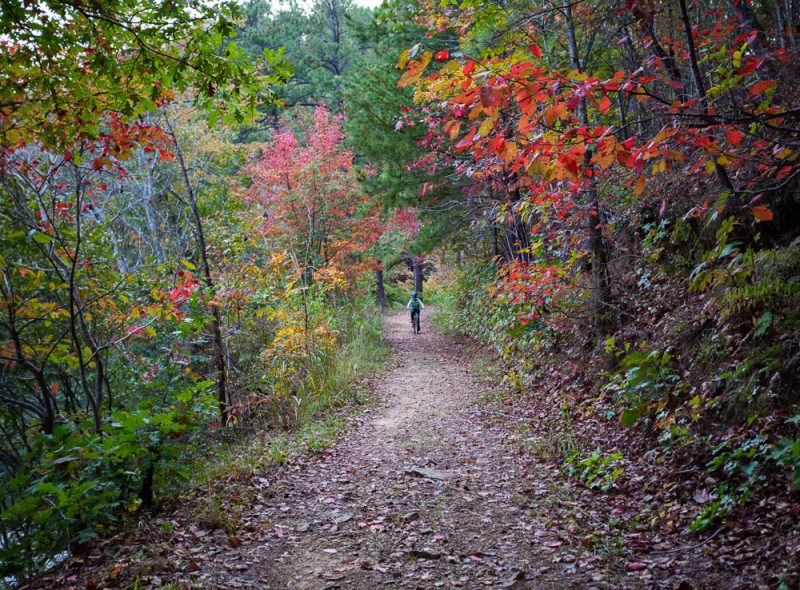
point(424, 494)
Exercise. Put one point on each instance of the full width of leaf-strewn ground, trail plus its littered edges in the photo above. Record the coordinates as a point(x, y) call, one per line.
point(419, 494)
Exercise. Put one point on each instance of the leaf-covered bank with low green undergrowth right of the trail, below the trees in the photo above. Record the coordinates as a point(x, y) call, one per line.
point(683, 423)
